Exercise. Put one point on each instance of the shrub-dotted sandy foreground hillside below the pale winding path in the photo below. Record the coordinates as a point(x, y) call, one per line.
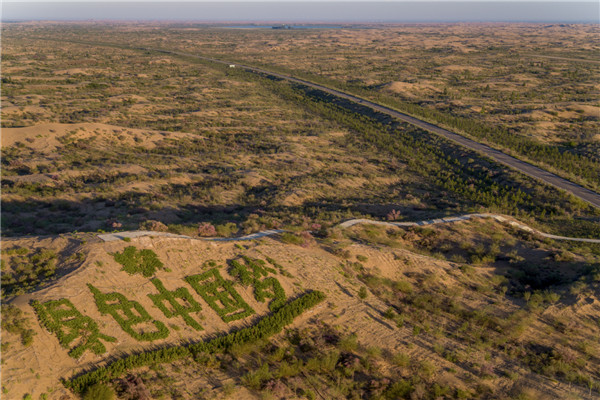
point(468, 310)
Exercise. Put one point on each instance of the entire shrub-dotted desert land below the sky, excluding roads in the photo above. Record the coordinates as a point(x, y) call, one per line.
point(102, 136)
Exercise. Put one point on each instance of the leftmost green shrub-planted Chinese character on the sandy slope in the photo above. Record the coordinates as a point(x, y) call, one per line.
point(70, 326)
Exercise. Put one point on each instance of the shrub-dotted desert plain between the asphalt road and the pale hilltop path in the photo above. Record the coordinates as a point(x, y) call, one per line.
point(250, 153)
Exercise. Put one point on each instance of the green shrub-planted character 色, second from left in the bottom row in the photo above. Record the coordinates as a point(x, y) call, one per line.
point(129, 313)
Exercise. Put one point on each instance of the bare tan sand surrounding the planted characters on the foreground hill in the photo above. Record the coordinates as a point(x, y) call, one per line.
point(311, 268)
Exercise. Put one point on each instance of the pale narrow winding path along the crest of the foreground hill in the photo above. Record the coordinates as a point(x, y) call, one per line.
point(111, 237)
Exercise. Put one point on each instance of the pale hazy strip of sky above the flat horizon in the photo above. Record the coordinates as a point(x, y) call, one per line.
point(309, 12)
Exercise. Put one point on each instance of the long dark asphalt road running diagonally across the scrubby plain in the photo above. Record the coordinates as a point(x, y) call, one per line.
point(526, 168)
